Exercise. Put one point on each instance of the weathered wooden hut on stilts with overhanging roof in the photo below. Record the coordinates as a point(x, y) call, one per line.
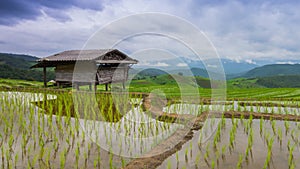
point(87, 67)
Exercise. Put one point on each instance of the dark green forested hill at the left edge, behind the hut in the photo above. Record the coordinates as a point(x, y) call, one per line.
point(14, 66)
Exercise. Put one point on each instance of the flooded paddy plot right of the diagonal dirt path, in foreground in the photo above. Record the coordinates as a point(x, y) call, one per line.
point(222, 154)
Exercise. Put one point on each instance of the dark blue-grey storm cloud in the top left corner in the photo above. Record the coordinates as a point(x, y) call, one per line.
point(14, 11)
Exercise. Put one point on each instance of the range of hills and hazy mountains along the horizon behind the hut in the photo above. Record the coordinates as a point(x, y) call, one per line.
point(17, 66)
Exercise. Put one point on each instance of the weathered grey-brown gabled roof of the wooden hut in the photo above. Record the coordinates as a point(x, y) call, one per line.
point(96, 55)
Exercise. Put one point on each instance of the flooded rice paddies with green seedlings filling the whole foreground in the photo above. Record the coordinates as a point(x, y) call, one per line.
point(174, 136)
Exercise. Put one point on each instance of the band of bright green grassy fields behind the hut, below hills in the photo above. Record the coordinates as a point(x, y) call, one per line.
point(171, 89)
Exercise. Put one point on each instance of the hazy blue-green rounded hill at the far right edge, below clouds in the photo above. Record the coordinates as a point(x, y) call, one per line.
point(273, 70)
